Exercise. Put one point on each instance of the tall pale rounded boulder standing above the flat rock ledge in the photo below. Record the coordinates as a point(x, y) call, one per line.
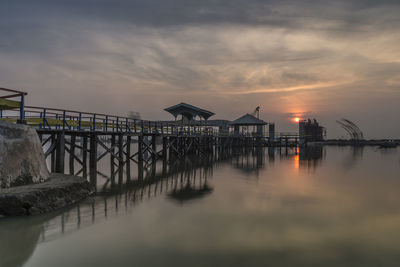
point(22, 159)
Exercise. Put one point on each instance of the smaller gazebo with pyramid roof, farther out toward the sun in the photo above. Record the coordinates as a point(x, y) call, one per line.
point(242, 125)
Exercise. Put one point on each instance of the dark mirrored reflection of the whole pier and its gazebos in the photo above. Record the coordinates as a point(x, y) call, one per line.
point(183, 180)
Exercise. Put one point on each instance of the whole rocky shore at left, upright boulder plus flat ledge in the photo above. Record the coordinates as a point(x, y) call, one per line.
point(26, 186)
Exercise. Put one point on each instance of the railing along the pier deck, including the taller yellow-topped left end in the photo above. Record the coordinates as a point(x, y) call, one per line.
point(46, 118)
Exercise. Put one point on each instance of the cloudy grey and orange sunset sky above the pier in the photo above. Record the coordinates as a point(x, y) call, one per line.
point(318, 59)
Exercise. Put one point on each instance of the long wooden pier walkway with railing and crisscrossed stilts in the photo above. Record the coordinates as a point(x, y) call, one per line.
point(76, 141)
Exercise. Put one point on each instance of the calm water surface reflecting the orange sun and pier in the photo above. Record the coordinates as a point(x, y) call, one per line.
point(332, 206)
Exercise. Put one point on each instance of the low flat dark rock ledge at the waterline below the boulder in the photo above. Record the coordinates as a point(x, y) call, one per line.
point(57, 192)
